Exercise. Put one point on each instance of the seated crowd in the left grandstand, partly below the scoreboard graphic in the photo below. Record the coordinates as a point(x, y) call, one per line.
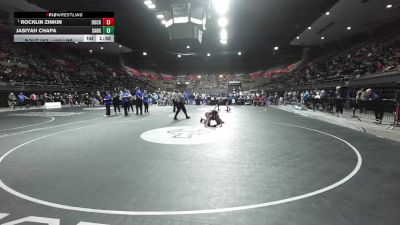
point(53, 65)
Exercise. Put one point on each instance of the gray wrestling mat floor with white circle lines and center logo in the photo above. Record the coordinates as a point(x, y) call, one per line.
point(261, 167)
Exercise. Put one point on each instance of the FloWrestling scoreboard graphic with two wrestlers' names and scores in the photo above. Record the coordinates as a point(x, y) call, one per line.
point(64, 26)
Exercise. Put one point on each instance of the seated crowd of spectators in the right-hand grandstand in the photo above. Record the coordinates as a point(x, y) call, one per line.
point(375, 57)
